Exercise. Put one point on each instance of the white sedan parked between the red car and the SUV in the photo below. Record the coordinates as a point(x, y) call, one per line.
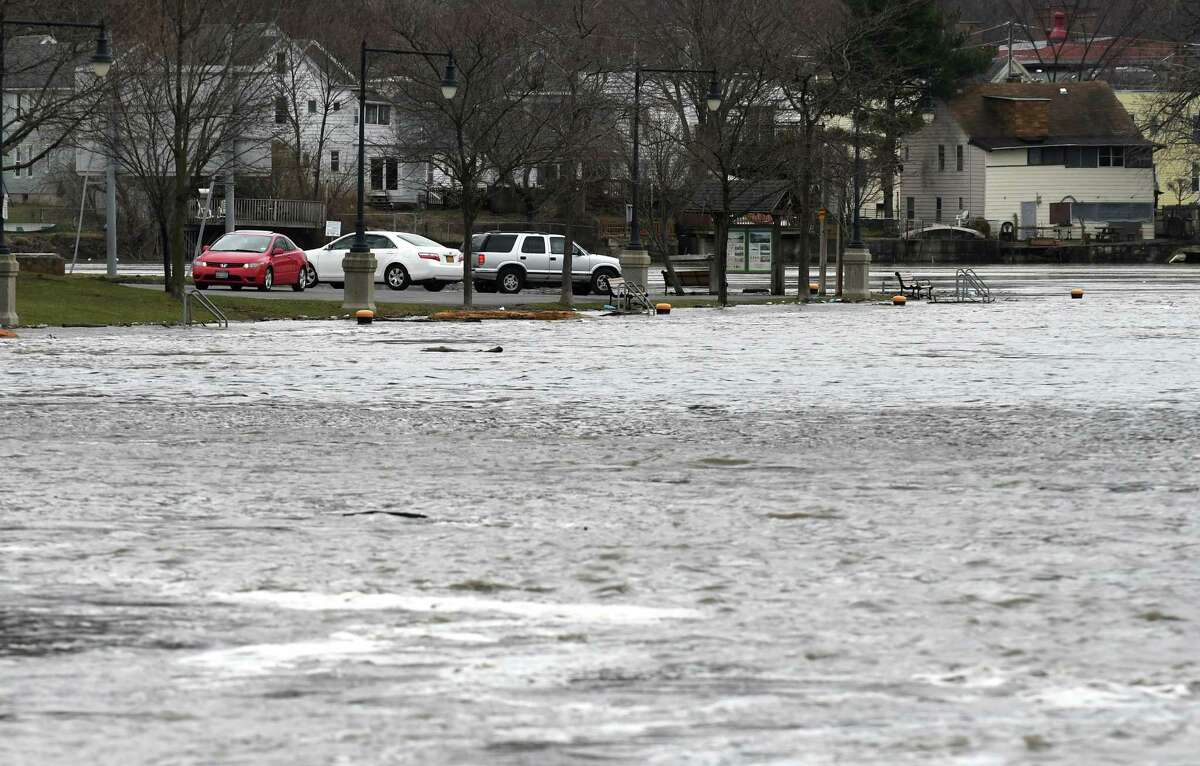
point(401, 260)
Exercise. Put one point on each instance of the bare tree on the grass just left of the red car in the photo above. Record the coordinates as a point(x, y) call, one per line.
point(196, 99)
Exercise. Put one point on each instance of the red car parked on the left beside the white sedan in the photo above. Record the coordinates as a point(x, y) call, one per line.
point(261, 260)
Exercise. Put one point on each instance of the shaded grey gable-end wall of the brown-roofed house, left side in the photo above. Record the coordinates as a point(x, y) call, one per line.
point(922, 179)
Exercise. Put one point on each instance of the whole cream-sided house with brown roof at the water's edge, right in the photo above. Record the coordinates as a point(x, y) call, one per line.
point(1036, 157)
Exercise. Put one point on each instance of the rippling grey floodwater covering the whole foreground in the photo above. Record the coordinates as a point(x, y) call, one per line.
point(830, 535)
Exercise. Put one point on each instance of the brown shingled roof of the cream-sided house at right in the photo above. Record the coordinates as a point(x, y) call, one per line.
point(999, 116)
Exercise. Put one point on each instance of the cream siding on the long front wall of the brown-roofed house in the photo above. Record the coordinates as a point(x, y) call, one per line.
point(1012, 181)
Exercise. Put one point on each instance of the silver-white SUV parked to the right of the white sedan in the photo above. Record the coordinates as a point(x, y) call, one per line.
point(509, 261)
